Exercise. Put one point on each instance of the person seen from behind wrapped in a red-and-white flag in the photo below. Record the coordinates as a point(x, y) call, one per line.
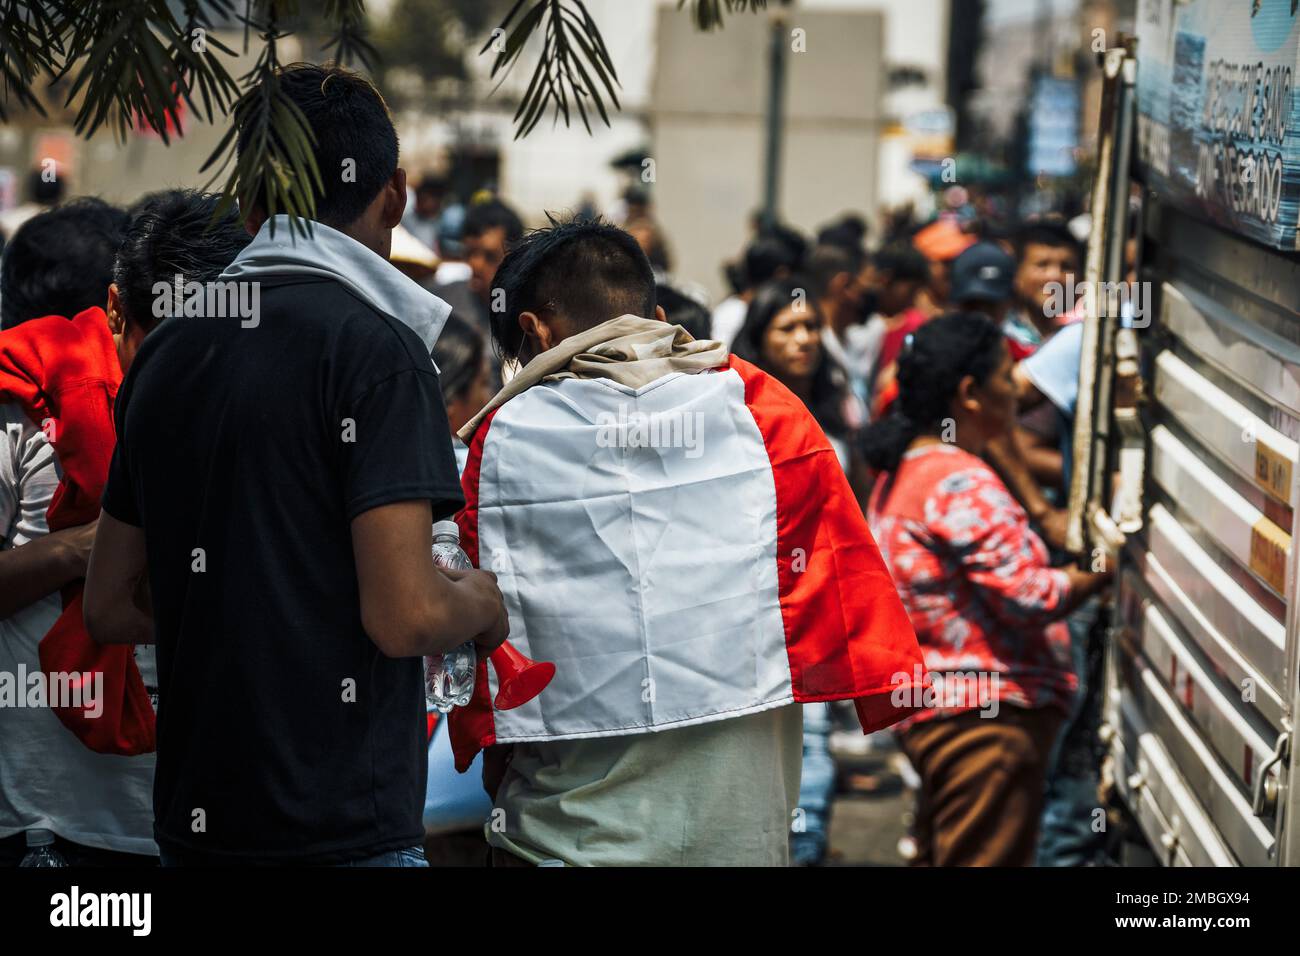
point(673, 530)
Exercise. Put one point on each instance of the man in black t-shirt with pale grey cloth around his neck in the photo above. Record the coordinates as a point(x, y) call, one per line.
point(278, 473)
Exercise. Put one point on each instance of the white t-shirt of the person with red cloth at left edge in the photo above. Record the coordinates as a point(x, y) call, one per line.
point(49, 780)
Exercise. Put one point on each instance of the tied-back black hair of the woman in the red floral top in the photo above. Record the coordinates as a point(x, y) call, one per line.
point(931, 366)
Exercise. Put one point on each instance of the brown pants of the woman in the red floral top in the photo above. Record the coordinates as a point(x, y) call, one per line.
point(982, 786)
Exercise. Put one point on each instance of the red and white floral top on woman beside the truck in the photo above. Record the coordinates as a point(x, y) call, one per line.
point(976, 581)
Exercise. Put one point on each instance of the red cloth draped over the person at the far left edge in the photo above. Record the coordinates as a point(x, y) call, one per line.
point(66, 377)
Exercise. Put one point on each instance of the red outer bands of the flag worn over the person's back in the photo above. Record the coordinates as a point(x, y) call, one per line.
point(847, 634)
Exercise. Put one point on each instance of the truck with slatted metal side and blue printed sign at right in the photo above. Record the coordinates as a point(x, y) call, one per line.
point(1188, 429)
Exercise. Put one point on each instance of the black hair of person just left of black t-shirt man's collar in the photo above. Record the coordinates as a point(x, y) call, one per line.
point(172, 233)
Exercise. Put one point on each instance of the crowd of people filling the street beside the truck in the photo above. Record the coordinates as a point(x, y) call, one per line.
point(838, 494)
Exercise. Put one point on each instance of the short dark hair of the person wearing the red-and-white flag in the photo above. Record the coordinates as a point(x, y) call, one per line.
point(583, 270)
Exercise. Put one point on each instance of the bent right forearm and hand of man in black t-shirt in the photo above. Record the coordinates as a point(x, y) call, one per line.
point(409, 607)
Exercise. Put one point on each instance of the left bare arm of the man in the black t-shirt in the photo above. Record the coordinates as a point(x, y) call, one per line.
point(118, 568)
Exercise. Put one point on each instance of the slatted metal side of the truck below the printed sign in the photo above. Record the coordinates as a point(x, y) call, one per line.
point(1210, 628)
